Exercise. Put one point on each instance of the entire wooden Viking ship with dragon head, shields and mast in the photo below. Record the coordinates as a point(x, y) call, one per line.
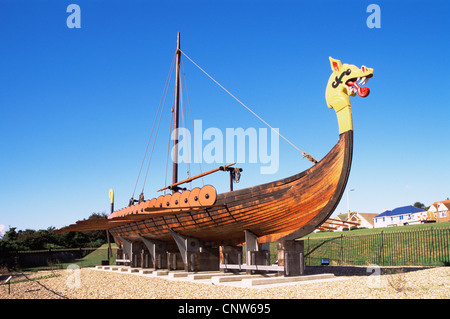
point(285, 209)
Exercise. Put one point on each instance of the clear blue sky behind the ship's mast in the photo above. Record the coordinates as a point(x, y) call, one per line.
point(77, 105)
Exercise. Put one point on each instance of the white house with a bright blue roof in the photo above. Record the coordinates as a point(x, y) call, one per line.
point(399, 216)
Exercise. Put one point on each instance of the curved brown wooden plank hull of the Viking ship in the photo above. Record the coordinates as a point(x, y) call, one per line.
point(285, 209)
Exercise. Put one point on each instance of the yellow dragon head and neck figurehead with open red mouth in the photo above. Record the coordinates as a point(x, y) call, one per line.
point(345, 81)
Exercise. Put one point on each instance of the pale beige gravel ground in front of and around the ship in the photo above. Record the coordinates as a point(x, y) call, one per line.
point(357, 282)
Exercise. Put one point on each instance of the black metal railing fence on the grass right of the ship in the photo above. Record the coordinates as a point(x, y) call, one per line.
point(418, 247)
